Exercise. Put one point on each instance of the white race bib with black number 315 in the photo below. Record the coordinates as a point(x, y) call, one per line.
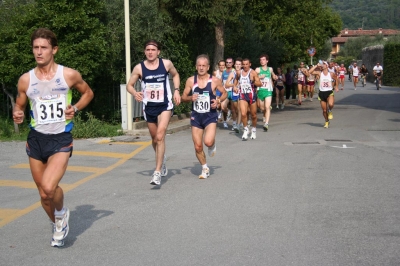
point(50, 109)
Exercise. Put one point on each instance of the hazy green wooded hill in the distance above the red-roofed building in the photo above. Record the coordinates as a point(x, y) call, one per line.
point(368, 14)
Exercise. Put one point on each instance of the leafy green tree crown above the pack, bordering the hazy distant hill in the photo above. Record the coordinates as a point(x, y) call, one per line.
point(284, 22)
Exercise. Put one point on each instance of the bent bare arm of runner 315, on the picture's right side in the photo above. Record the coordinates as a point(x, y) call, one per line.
point(74, 80)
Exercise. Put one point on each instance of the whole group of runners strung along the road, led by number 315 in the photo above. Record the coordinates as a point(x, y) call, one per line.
point(48, 90)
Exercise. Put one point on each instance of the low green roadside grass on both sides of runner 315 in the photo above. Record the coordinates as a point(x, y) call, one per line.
point(90, 127)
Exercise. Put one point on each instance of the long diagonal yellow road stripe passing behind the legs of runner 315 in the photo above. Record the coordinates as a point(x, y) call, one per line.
point(69, 187)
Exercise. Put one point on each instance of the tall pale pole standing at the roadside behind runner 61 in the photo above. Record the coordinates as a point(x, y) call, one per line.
point(128, 64)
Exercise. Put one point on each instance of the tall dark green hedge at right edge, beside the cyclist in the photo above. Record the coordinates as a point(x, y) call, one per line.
point(391, 62)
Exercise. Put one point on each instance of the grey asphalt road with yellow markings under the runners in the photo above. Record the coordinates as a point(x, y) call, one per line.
point(299, 194)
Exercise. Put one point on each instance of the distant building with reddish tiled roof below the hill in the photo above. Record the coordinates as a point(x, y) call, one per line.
point(346, 34)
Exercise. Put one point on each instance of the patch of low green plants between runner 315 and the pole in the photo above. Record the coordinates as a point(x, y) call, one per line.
point(93, 127)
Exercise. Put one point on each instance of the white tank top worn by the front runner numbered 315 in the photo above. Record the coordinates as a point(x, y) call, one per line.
point(48, 101)
